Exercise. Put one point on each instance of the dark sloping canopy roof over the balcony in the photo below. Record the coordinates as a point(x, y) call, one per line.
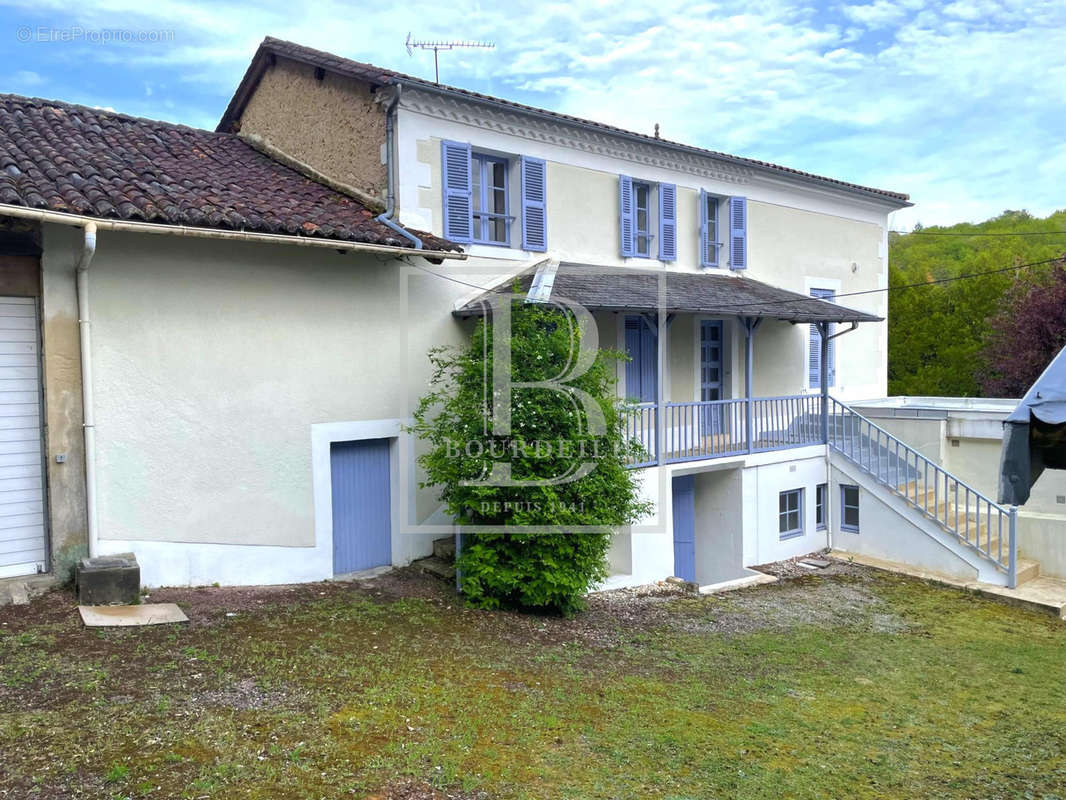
point(639, 291)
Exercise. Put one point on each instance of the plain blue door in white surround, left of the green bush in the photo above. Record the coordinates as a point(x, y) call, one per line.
point(363, 520)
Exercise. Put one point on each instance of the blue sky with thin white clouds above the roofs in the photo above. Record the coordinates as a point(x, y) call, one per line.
point(962, 105)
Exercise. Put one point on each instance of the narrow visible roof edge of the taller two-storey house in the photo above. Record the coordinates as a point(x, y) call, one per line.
point(379, 76)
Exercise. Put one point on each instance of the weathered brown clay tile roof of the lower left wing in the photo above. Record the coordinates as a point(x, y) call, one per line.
point(99, 164)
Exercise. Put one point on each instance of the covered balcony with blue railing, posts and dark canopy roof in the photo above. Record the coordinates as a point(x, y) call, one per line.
point(717, 314)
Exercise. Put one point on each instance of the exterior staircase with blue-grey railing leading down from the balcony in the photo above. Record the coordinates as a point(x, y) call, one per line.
point(986, 531)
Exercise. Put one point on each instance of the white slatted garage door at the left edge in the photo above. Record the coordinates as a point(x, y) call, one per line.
point(22, 469)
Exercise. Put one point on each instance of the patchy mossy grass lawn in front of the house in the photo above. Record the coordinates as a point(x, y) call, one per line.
point(848, 684)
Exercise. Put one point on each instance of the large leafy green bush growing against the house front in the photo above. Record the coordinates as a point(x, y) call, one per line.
point(551, 437)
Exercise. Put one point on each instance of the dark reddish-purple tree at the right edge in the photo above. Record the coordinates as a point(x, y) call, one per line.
point(1027, 333)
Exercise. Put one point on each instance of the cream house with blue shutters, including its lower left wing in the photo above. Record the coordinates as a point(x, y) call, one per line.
point(250, 396)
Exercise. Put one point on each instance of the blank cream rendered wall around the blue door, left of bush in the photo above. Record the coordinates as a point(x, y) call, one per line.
point(222, 373)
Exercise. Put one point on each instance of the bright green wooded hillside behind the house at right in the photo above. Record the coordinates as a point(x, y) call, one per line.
point(936, 333)
